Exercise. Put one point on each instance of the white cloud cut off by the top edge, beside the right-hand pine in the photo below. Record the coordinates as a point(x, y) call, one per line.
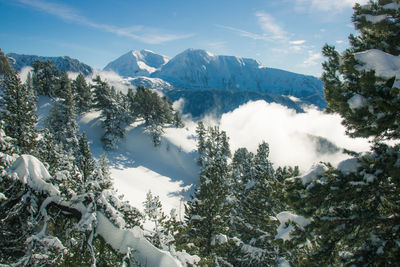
point(326, 5)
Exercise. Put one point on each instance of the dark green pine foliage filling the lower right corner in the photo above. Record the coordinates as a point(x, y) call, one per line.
point(355, 214)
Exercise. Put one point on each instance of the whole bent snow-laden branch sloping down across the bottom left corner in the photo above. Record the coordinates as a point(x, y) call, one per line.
point(30, 171)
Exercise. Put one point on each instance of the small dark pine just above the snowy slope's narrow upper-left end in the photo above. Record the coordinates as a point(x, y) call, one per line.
point(83, 94)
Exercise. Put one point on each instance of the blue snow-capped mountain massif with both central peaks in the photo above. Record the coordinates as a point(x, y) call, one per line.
point(196, 69)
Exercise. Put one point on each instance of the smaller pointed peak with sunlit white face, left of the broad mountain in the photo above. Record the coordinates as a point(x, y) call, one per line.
point(137, 63)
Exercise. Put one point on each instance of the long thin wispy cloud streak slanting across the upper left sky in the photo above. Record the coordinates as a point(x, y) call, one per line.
point(138, 32)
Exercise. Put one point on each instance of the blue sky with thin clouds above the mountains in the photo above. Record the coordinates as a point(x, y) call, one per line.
point(285, 34)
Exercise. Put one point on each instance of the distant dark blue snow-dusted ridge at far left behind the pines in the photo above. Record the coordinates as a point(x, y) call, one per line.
point(64, 63)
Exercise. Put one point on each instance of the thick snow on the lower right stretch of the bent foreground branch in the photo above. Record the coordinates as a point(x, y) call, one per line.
point(133, 241)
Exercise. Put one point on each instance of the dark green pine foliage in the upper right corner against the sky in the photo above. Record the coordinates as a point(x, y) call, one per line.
point(343, 79)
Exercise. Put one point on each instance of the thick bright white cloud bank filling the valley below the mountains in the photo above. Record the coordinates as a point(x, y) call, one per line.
point(287, 133)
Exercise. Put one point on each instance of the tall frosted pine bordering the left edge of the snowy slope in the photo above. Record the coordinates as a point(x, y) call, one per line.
point(61, 120)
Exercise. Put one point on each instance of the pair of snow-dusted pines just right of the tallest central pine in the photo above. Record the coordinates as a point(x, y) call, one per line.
point(257, 208)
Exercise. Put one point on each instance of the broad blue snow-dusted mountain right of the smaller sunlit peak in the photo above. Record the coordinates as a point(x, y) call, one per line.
point(199, 69)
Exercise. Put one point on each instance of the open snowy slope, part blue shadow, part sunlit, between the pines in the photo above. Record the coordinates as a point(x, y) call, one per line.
point(137, 166)
